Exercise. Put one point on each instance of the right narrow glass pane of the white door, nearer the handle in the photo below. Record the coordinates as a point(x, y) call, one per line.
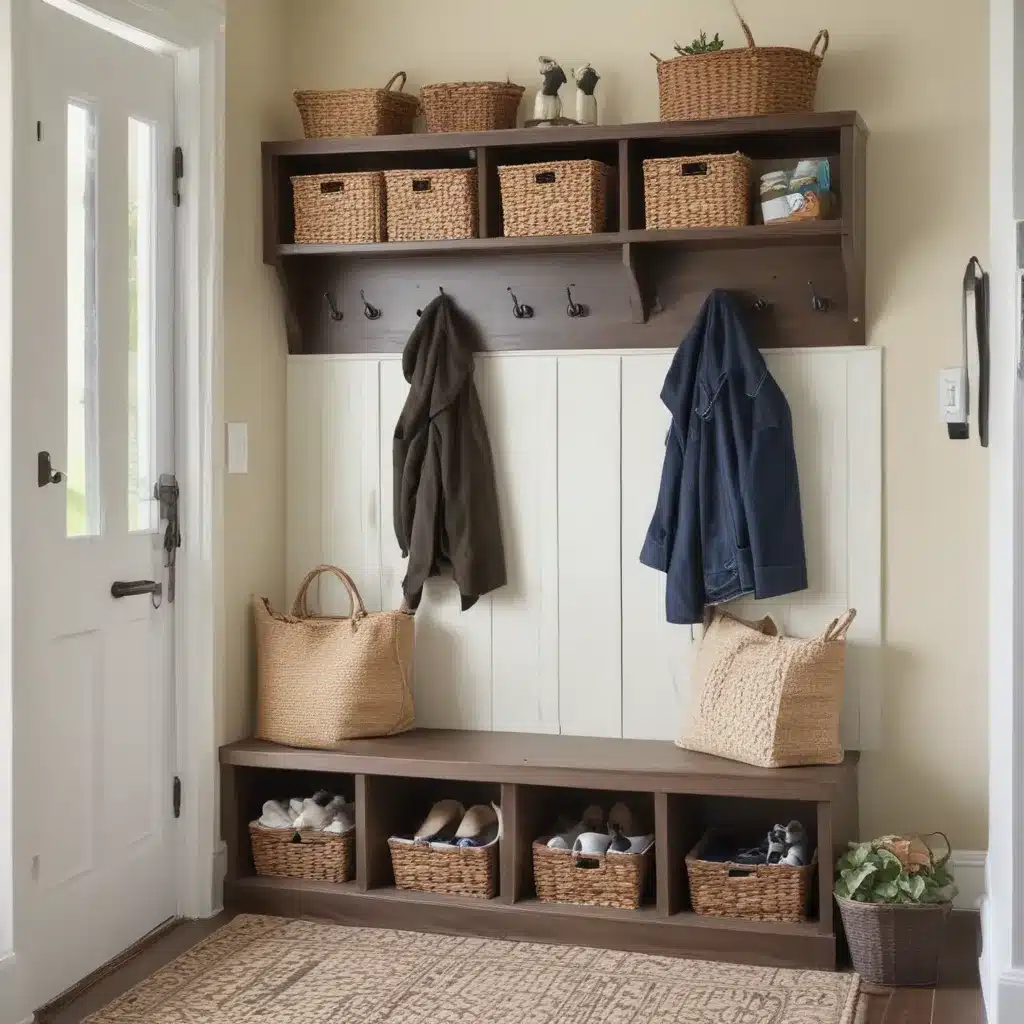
point(142, 327)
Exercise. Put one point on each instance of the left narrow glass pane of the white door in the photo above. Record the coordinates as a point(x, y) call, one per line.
point(83, 439)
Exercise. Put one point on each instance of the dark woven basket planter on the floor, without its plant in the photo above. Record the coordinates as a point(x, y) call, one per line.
point(895, 945)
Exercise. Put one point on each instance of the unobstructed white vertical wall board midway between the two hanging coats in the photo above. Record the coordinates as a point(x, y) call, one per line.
point(589, 546)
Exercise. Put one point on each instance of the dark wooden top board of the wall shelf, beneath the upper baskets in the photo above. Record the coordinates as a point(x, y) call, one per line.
point(774, 123)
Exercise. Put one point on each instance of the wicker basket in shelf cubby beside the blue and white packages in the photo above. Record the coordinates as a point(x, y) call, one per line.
point(698, 192)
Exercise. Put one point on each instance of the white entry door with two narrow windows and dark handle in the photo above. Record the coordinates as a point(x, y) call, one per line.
point(94, 388)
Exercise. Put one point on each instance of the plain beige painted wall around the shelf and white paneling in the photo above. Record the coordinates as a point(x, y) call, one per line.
point(918, 73)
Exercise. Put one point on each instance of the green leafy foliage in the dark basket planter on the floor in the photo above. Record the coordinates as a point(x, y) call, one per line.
point(895, 870)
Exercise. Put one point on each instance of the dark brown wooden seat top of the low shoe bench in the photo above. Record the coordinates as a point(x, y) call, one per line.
point(548, 760)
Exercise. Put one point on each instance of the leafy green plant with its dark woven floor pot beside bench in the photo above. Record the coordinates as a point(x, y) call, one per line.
point(895, 894)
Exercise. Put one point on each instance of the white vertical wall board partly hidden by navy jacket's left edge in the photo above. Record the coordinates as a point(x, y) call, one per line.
point(657, 657)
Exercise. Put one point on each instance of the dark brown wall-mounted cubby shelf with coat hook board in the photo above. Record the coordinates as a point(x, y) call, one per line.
point(643, 287)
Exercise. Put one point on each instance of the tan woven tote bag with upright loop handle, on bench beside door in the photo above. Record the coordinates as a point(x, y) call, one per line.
point(324, 680)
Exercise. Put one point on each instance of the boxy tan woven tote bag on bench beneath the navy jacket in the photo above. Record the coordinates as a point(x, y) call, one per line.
point(769, 701)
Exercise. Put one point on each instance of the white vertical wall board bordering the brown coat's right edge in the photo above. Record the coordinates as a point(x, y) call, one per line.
point(521, 405)
